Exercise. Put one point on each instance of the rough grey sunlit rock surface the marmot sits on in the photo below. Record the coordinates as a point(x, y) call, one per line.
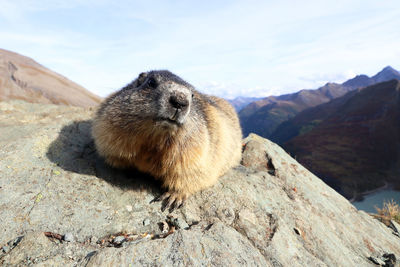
point(271, 212)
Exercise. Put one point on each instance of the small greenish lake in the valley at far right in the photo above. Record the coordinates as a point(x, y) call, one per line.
point(377, 199)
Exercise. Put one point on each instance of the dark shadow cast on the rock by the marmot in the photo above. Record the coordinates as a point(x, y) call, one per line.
point(74, 151)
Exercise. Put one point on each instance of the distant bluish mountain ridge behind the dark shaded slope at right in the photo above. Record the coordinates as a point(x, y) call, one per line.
point(265, 115)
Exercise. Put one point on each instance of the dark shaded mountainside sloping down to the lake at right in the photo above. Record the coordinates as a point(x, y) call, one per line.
point(352, 142)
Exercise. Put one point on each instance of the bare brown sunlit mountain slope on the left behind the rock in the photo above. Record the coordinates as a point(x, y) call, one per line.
point(23, 78)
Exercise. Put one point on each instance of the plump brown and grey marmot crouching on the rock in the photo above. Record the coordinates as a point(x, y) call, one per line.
point(161, 125)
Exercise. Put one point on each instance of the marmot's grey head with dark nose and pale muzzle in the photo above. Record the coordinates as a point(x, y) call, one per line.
point(161, 96)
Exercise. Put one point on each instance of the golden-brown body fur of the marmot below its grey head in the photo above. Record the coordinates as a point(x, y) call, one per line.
point(186, 159)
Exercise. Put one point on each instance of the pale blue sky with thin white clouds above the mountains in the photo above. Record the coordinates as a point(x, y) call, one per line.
point(225, 48)
